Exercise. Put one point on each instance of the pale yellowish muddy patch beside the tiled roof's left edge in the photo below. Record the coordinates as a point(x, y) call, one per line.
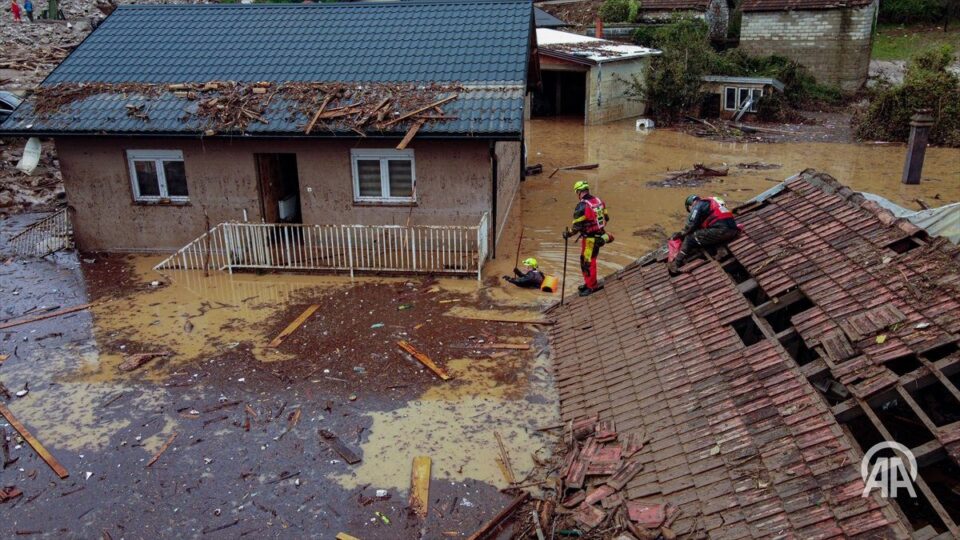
point(454, 424)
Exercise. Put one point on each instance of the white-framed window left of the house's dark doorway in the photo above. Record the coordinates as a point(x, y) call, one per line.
point(158, 175)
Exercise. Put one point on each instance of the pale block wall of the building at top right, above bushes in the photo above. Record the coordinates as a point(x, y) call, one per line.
point(834, 44)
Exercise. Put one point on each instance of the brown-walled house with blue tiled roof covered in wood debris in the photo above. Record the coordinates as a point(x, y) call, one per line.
point(382, 135)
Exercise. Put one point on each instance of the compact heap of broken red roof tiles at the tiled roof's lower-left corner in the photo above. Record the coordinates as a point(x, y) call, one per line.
point(596, 468)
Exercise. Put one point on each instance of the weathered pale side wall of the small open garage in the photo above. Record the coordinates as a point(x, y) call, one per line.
point(607, 87)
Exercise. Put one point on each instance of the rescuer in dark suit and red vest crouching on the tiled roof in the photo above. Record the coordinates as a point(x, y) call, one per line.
point(709, 224)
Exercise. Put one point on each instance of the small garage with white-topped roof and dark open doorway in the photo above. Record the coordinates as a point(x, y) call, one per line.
point(588, 77)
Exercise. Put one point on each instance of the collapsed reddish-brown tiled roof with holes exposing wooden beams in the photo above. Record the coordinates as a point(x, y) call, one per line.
point(760, 377)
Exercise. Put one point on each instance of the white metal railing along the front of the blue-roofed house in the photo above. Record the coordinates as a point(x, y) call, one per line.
point(449, 249)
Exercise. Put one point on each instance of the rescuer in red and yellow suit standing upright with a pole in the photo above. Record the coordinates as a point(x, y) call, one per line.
point(590, 217)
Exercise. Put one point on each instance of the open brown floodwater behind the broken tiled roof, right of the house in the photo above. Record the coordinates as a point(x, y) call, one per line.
point(628, 160)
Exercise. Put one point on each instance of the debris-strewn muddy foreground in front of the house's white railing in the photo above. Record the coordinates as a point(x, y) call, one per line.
point(246, 458)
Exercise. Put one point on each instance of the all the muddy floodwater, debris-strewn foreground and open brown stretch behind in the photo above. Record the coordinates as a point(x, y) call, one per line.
point(245, 457)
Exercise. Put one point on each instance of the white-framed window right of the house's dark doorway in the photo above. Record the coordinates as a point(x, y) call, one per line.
point(385, 176)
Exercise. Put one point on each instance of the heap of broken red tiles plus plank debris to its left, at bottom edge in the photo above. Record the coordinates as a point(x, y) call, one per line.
point(588, 491)
